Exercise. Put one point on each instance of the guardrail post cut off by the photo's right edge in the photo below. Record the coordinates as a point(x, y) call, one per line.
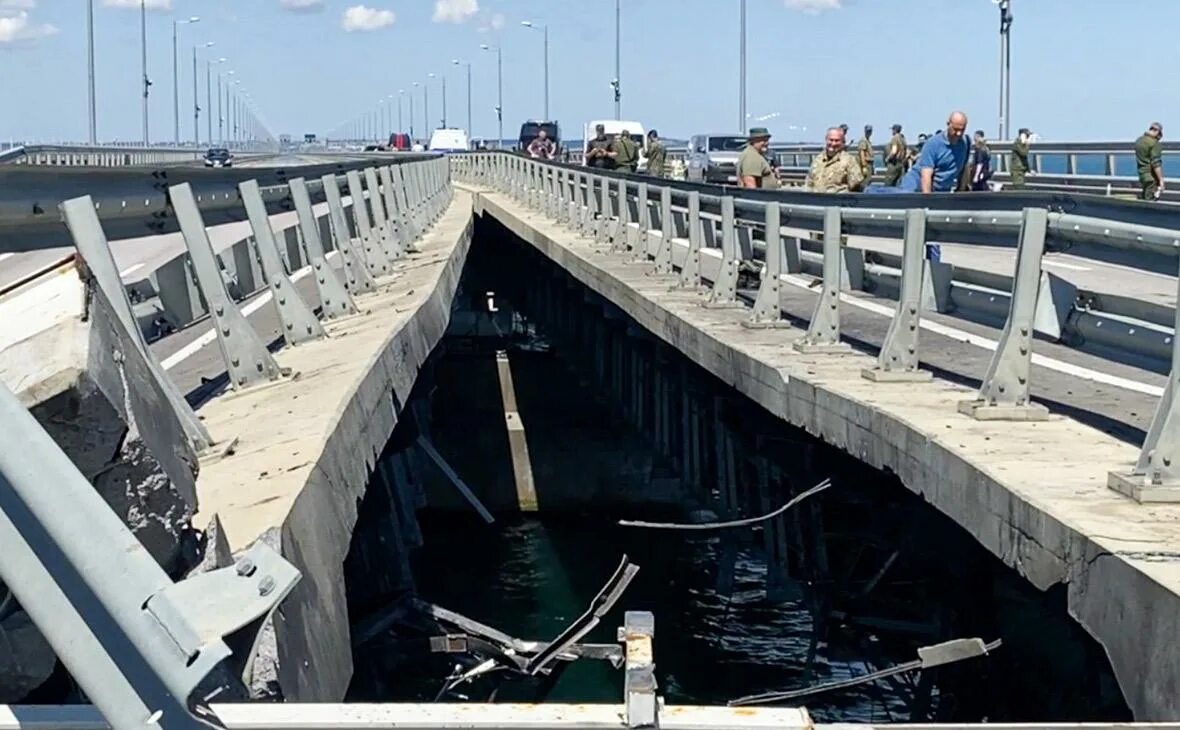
point(1156, 477)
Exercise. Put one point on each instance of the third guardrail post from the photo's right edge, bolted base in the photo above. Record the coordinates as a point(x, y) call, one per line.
point(899, 360)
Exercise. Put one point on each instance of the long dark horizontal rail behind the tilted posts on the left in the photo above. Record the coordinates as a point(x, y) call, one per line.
point(134, 203)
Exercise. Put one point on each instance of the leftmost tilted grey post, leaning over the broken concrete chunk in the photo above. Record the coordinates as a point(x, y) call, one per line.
point(95, 251)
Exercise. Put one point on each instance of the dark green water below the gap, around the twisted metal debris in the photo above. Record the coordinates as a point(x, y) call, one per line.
point(532, 577)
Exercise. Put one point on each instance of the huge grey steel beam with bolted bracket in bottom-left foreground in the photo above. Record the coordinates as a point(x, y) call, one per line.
point(148, 653)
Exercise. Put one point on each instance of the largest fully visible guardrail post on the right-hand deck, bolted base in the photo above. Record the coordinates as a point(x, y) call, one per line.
point(1005, 396)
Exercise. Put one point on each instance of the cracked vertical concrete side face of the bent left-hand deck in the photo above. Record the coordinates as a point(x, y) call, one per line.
point(312, 627)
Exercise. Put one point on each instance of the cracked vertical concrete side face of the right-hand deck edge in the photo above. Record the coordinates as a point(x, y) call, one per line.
point(1120, 606)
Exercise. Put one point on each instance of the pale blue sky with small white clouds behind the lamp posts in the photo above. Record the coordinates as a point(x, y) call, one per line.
point(1081, 69)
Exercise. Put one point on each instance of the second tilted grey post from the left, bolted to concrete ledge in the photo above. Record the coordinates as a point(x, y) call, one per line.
point(247, 360)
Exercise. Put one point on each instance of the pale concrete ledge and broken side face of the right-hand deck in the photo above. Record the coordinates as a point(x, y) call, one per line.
point(1032, 494)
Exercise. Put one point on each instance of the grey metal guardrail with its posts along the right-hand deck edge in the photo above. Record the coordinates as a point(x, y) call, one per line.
point(663, 221)
